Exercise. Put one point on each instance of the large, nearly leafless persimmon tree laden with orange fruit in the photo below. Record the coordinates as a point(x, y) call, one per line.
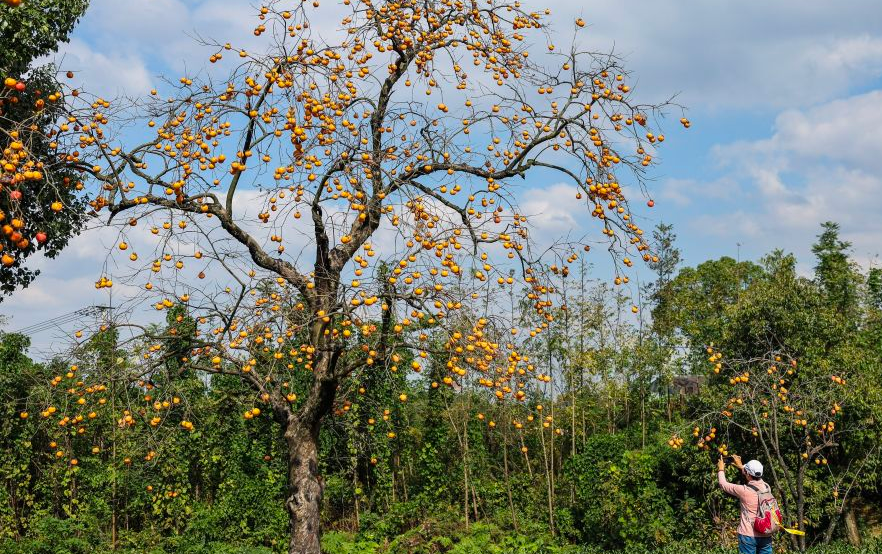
point(325, 206)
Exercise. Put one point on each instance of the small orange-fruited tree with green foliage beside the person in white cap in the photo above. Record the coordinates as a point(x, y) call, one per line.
point(788, 380)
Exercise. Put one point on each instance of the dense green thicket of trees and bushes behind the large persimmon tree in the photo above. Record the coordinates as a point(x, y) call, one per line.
point(602, 466)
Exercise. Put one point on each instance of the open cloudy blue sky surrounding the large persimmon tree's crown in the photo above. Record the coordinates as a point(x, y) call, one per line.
point(785, 98)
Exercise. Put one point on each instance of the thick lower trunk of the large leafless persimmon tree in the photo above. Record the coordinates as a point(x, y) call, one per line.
point(305, 488)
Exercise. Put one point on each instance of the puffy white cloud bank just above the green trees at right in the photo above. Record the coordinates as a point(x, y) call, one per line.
point(820, 164)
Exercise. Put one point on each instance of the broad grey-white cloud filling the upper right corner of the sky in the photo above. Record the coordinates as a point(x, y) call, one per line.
point(725, 55)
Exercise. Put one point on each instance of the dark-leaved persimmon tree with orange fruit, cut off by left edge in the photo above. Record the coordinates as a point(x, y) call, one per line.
point(39, 204)
